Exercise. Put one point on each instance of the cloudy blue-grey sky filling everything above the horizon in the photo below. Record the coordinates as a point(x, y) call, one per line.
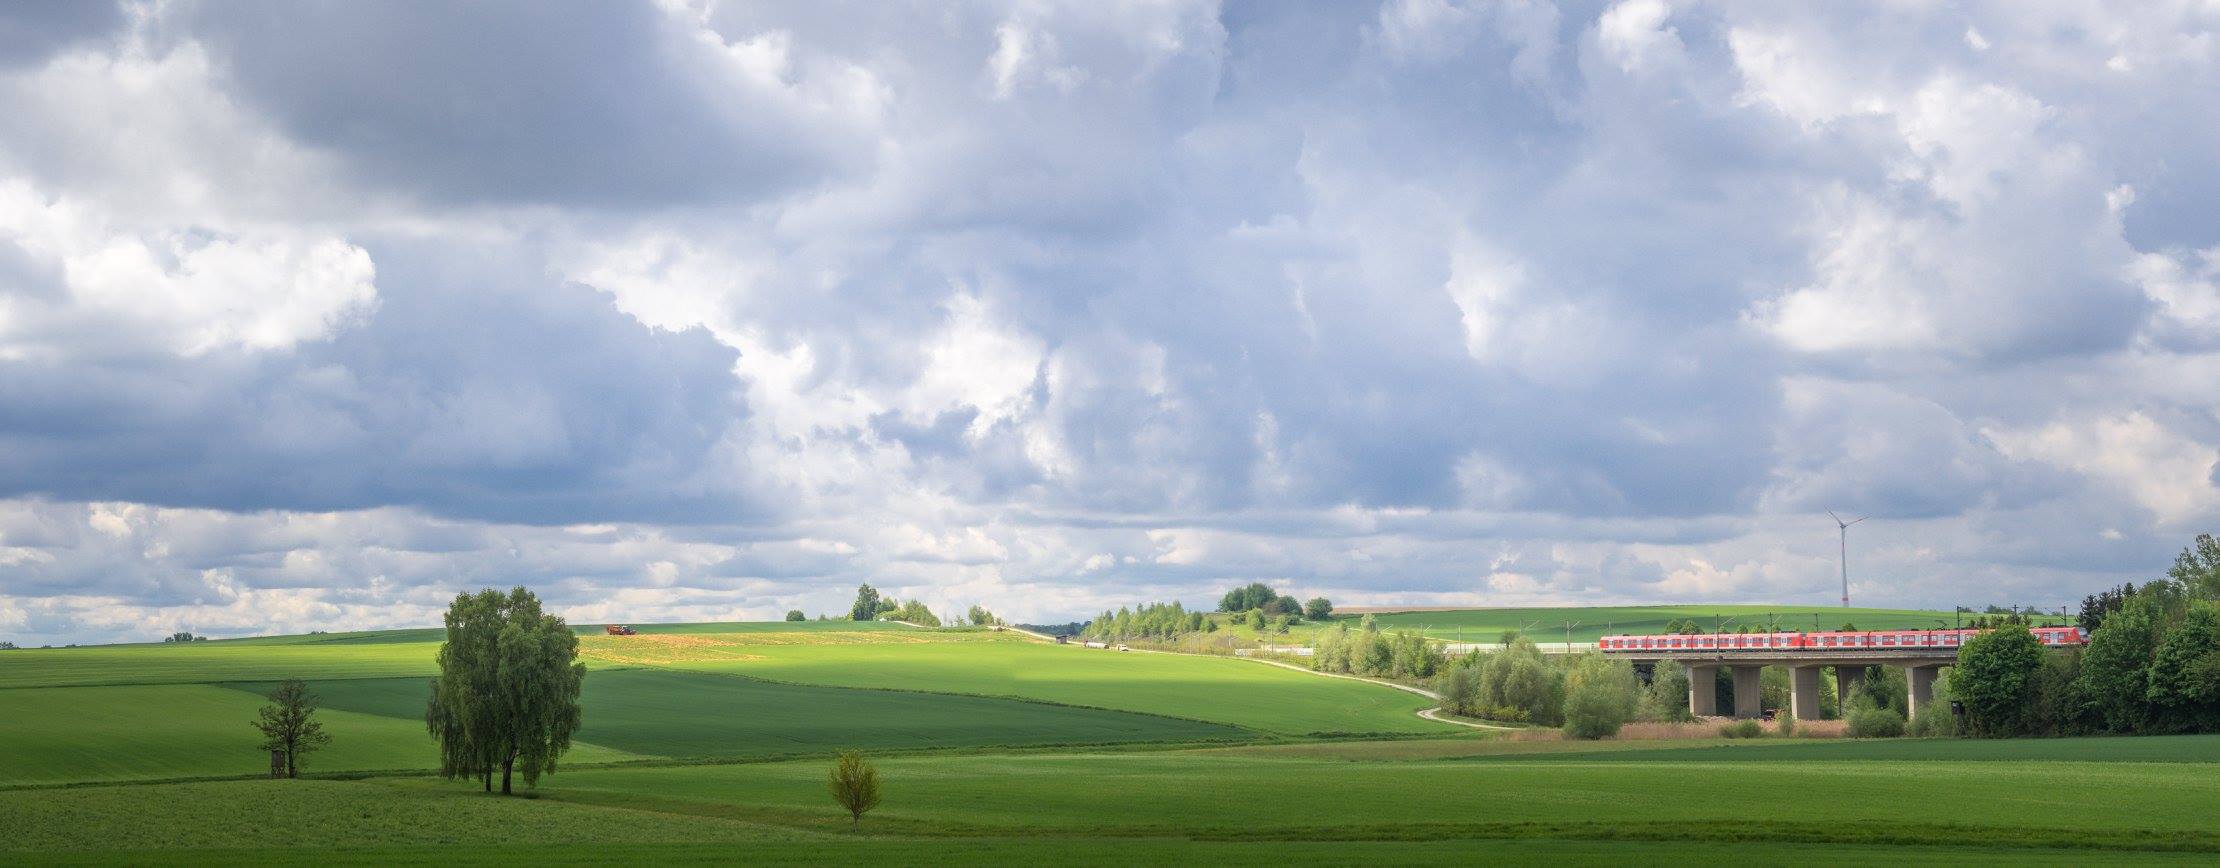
point(314, 314)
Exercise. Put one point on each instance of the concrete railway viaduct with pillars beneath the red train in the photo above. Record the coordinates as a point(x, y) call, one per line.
point(1804, 665)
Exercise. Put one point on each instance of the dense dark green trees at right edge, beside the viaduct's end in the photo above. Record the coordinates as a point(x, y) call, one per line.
point(2152, 663)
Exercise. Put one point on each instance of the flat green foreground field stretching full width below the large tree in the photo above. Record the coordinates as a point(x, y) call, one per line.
point(1750, 803)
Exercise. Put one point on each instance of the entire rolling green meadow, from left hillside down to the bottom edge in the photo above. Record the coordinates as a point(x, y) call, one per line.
point(709, 745)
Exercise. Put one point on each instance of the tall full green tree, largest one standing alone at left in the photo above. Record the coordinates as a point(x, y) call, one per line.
point(507, 692)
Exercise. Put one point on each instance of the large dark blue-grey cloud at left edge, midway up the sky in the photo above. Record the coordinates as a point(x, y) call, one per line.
point(470, 392)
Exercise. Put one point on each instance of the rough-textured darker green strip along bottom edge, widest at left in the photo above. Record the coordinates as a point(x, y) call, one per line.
point(418, 822)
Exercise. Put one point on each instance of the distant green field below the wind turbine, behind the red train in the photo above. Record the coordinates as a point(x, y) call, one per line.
point(1593, 623)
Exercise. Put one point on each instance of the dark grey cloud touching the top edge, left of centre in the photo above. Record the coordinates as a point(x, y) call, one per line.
point(516, 103)
